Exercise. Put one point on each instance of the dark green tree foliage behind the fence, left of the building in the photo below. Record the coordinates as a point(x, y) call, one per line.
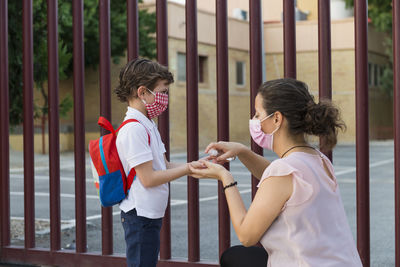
point(147, 46)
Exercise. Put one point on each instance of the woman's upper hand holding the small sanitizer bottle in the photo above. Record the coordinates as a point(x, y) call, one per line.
point(225, 150)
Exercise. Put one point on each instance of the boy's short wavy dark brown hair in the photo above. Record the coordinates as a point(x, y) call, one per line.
point(140, 72)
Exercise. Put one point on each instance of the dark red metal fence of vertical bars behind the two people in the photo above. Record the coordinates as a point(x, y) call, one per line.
point(29, 253)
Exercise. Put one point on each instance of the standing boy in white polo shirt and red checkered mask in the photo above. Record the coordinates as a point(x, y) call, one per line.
point(143, 85)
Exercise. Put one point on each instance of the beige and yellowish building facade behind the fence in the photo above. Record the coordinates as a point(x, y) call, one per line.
point(343, 71)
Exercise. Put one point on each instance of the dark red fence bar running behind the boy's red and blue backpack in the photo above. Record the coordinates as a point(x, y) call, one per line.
point(105, 109)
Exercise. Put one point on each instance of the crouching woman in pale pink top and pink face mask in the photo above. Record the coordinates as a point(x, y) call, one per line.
point(297, 213)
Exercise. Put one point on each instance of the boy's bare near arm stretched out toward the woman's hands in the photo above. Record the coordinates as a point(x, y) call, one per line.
point(150, 178)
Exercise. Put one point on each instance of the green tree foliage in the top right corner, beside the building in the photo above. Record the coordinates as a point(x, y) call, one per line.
point(380, 13)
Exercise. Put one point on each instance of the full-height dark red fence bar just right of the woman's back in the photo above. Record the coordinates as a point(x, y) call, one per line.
point(362, 138)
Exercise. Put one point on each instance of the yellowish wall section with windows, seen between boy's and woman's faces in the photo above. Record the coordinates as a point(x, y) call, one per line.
point(239, 101)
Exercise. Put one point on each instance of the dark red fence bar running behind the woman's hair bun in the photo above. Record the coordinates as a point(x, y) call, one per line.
point(324, 58)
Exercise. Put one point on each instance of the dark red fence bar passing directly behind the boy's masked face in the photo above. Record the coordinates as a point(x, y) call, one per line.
point(163, 120)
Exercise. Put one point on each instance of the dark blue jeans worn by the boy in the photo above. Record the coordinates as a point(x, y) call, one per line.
point(142, 237)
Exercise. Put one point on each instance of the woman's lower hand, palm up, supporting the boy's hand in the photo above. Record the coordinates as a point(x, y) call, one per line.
point(206, 169)
